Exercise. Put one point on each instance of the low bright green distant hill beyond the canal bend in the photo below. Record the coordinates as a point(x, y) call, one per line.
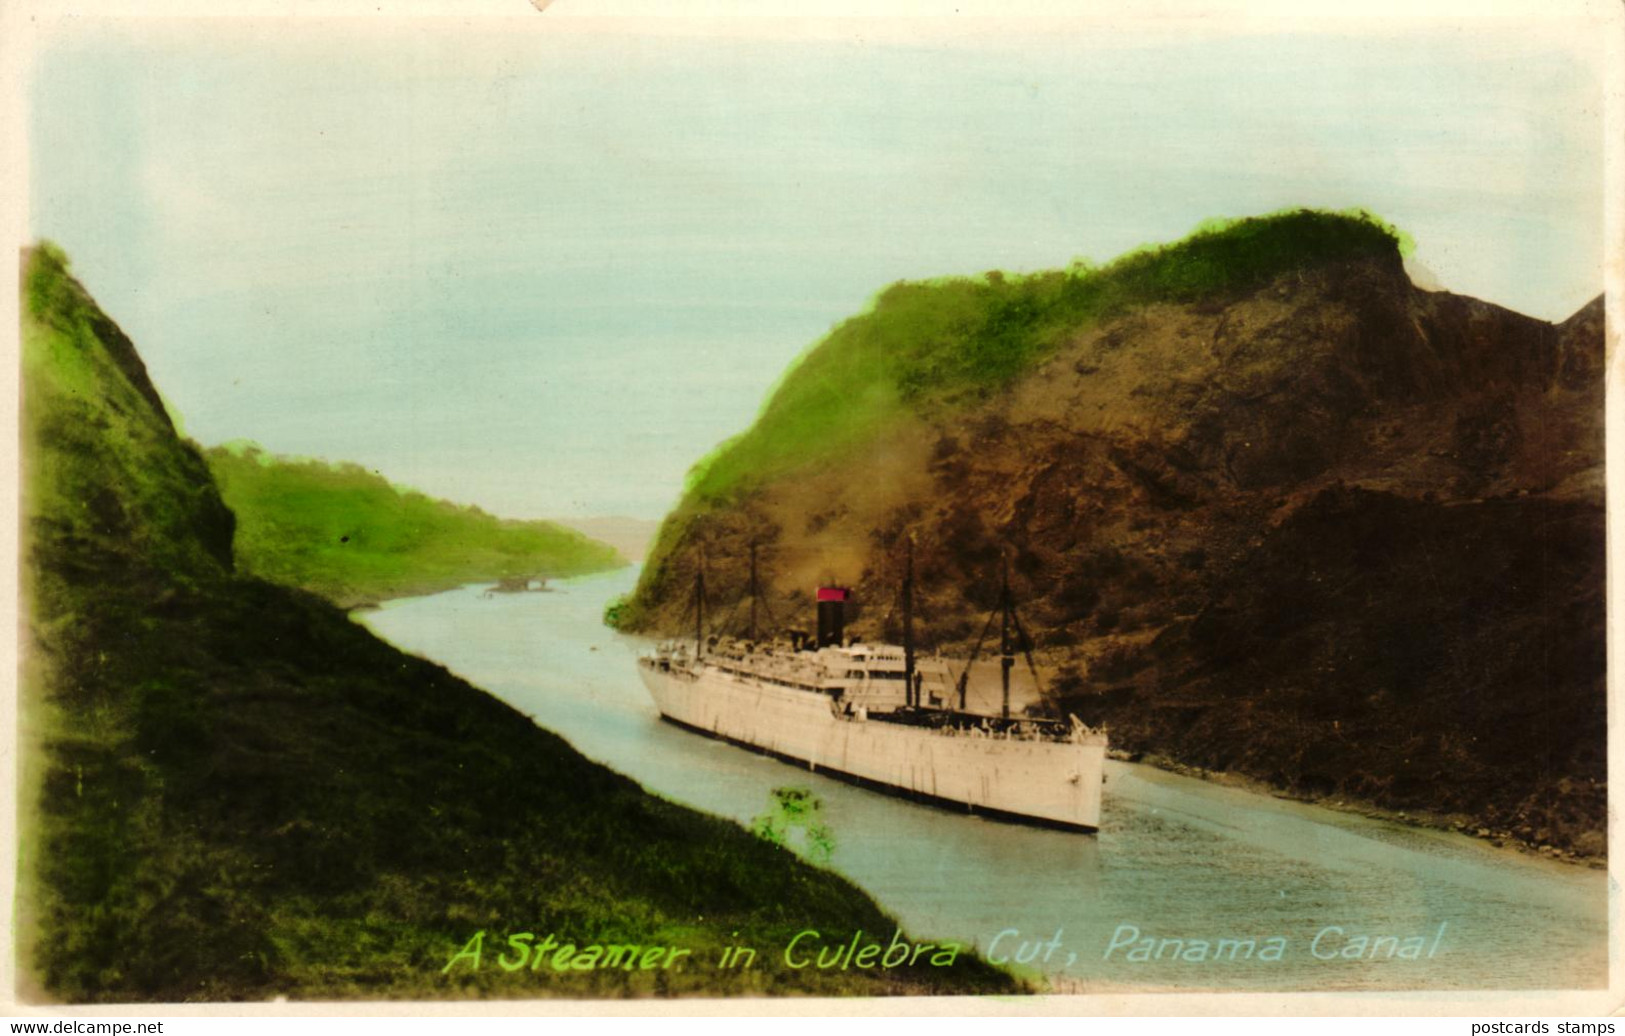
point(352, 537)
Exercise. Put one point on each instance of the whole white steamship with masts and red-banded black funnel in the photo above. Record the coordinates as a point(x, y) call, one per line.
point(882, 717)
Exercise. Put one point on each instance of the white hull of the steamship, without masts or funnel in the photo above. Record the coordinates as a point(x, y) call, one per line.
point(1052, 783)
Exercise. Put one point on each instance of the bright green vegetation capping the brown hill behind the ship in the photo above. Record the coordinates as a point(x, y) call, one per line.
point(940, 345)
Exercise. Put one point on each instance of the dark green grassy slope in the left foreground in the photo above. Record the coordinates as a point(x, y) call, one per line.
point(232, 792)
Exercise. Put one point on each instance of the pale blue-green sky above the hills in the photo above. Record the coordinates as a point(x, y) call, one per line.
point(545, 265)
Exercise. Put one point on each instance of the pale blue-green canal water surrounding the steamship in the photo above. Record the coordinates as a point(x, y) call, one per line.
point(1189, 884)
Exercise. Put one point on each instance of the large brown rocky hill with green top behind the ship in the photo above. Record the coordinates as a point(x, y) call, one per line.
point(1268, 507)
